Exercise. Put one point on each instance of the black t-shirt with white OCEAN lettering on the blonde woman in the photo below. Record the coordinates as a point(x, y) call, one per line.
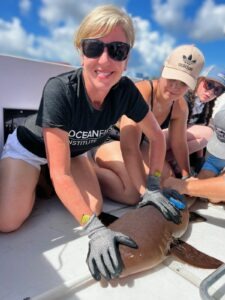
point(66, 105)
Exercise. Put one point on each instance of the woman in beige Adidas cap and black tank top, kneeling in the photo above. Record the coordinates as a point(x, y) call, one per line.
point(122, 166)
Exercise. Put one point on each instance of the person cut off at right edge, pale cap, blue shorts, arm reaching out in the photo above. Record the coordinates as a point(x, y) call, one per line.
point(210, 183)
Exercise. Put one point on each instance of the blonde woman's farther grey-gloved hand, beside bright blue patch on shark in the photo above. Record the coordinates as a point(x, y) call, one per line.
point(166, 201)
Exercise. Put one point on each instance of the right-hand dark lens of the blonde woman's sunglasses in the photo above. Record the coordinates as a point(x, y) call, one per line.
point(118, 50)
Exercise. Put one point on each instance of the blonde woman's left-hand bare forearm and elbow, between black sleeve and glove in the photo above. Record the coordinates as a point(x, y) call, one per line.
point(58, 154)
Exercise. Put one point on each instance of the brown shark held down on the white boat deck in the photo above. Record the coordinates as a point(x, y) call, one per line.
point(157, 238)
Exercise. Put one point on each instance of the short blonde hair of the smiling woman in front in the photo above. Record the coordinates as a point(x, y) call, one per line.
point(101, 21)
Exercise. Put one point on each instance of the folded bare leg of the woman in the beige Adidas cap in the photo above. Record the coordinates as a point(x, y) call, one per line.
point(112, 175)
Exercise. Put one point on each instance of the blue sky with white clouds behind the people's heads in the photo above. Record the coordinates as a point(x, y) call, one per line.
point(44, 29)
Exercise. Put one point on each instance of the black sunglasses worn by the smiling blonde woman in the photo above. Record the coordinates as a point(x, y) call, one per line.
point(93, 48)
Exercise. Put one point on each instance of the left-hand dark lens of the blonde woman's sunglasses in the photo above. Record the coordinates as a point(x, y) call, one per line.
point(92, 48)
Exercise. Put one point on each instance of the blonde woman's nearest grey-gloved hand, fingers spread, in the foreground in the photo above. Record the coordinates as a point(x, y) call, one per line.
point(103, 257)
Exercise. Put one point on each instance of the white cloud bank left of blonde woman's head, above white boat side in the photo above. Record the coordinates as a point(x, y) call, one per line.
point(15, 40)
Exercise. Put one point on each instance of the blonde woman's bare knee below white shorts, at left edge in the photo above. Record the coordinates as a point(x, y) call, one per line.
point(18, 181)
